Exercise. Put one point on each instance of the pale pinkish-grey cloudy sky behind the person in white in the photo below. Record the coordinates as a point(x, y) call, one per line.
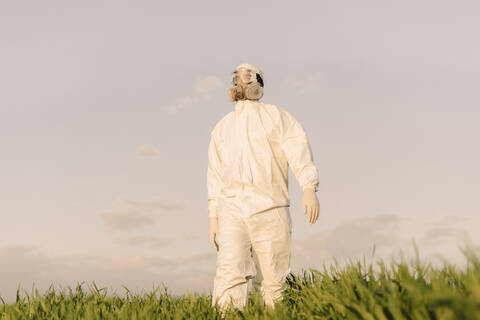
point(106, 110)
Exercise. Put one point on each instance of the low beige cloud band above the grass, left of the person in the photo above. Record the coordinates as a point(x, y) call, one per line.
point(29, 266)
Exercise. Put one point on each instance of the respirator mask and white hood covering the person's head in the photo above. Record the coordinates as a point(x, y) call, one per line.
point(248, 83)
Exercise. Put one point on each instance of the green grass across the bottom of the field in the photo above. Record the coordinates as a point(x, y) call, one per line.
point(395, 291)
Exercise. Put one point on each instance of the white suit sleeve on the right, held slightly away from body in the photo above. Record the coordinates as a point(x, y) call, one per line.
point(297, 149)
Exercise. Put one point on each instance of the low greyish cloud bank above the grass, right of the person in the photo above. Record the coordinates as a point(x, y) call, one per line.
point(391, 234)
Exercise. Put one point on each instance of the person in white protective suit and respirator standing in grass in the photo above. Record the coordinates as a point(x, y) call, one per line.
point(249, 154)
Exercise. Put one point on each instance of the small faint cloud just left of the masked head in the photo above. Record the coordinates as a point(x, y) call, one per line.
point(203, 89)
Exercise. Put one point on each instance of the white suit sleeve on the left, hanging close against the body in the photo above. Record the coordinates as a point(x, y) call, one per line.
point(214, 181)
